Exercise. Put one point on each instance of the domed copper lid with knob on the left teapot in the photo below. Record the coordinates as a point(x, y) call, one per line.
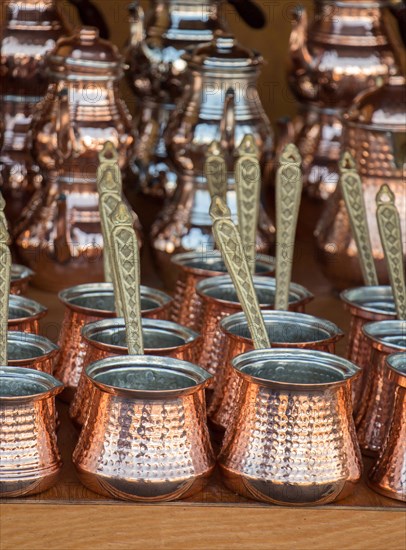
point(85, 55)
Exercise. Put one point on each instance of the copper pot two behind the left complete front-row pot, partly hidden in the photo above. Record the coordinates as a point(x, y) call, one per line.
point(88, 303)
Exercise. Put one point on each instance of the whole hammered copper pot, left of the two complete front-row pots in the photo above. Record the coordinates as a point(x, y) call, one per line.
point(146, 437)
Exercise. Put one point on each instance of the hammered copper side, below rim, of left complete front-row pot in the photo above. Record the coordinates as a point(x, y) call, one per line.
point(142, 450)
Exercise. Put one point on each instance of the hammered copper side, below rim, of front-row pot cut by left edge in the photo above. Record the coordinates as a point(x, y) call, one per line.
point(28, 447)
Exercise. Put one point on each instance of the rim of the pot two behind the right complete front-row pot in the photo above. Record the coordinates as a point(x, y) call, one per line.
point(303, 296)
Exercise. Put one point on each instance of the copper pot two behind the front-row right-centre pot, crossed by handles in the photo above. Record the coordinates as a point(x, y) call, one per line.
point(219, 299)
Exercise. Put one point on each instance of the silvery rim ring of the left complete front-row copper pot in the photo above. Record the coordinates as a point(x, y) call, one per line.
point(131, 362)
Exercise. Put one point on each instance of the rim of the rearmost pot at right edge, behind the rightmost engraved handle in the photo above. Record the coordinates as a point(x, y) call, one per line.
point(352, 297)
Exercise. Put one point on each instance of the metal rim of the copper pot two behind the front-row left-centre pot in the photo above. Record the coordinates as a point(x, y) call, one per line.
point(71, 293)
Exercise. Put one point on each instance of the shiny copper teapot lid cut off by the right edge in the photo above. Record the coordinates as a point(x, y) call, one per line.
point(383, 107)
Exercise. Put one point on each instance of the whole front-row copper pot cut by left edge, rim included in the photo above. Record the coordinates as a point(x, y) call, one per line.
point(30, 459)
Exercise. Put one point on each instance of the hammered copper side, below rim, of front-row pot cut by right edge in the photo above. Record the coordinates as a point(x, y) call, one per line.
point(388, 475)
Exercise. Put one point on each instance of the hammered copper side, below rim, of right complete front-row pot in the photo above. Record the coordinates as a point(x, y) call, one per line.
point(285, 443)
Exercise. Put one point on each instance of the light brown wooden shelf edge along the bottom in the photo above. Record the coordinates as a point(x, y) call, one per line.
point(184, 527)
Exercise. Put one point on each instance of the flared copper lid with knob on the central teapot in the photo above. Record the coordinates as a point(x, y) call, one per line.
point(223, 52)
